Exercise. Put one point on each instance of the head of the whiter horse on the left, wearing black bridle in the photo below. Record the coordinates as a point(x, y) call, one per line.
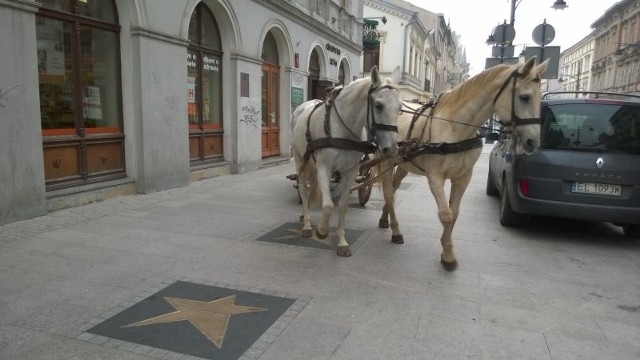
point(383, 109)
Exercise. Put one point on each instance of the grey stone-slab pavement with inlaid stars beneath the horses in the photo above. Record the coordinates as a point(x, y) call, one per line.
point(217, 270)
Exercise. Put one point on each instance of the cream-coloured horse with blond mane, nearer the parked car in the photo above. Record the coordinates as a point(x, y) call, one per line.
point(443, 144)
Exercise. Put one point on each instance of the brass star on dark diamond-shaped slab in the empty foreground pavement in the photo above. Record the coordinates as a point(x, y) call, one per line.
point(199, 320)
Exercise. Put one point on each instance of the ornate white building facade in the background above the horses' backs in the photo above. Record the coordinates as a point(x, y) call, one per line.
point(418, 41)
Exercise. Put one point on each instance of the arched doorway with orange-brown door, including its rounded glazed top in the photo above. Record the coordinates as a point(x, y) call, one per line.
point(270, 97)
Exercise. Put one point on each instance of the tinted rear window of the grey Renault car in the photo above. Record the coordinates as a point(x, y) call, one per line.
point(598, 127)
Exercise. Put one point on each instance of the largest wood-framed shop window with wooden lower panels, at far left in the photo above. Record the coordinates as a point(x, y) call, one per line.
point(78, 54)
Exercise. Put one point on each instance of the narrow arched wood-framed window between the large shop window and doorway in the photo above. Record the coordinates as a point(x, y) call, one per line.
point(204, 88)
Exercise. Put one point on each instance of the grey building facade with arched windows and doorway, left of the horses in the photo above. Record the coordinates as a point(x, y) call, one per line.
point(107, 97)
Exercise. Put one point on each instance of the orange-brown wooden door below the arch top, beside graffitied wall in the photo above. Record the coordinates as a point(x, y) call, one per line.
point(270, 110)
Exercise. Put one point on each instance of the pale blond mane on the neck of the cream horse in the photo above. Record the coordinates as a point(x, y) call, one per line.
point(469, 89)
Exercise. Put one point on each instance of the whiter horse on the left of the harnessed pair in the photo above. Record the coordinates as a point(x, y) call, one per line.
point(331, 136)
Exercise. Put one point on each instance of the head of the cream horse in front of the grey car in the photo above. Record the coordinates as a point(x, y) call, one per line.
point(517, 104)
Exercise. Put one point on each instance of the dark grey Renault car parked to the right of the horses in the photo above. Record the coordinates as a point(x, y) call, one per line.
point(587, 166)
